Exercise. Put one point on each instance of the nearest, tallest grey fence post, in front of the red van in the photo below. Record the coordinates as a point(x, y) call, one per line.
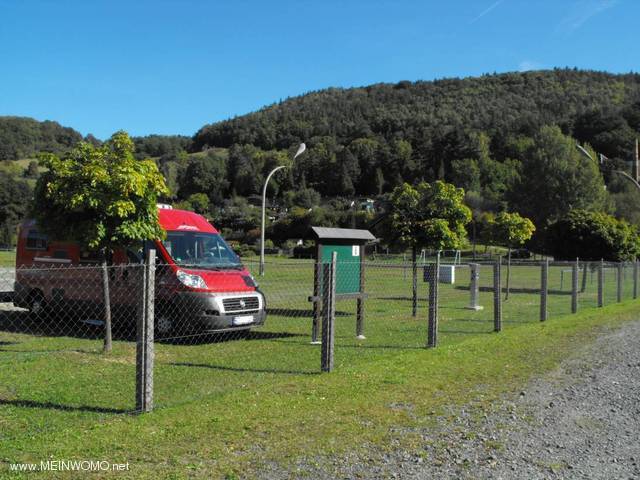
point(144, 346)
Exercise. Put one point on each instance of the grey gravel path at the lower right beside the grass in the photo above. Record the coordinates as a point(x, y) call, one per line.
point(581, 421)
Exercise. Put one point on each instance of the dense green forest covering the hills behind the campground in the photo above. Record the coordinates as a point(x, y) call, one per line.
point(492, 135)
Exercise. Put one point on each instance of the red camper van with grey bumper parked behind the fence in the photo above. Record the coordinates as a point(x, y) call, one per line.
point(200, 282)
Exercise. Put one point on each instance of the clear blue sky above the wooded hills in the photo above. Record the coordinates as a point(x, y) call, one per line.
point(172, 66)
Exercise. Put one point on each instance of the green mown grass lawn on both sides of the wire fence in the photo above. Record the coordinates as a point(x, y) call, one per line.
point(226, 407)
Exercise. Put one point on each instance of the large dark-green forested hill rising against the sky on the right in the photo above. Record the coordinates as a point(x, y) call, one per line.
point(425, 112)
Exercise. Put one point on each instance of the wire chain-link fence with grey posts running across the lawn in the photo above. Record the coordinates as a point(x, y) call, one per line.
point(188, 333)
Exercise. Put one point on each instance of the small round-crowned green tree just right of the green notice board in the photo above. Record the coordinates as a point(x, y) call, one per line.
point(431, 215)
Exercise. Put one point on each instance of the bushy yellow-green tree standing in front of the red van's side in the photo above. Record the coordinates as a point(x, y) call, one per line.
point(101, 197)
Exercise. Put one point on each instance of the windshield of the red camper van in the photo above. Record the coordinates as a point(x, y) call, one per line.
point(206, 250)
